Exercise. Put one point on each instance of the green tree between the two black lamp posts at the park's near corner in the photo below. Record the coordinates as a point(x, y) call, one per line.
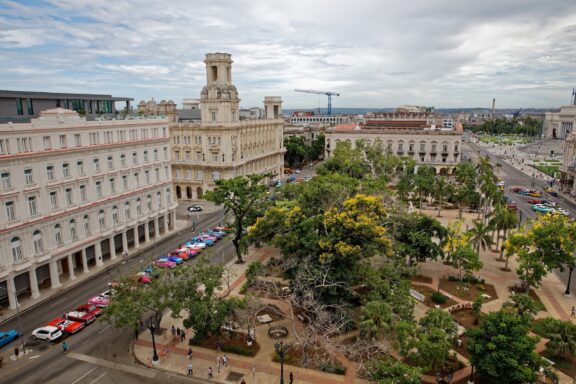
point(196, 295)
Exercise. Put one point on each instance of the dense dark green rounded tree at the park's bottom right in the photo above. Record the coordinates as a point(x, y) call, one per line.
point(502, 351)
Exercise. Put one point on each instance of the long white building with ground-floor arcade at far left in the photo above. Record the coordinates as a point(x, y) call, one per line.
point(74, 193)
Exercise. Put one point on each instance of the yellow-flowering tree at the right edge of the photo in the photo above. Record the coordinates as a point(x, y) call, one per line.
point(546, 245)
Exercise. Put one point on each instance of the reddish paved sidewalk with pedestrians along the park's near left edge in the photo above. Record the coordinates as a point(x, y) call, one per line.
point(173, 354)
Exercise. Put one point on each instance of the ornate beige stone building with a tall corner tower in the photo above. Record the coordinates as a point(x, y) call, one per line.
point(221, 146)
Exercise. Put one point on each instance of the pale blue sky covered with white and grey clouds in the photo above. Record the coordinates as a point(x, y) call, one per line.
point(376, 53)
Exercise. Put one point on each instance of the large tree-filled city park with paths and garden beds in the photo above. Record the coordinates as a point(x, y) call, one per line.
point(373, 272)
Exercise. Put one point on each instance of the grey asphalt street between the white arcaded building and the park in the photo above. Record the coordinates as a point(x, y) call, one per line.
point(99, 353)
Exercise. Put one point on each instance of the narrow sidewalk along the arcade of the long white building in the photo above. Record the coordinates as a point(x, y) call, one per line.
point(28, 303)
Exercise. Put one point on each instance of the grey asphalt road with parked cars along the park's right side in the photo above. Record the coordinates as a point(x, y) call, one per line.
point(512, 176)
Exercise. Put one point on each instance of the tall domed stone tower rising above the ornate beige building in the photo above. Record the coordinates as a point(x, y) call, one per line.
point(219, 98)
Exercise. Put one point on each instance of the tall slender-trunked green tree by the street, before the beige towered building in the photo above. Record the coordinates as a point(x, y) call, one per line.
point(240, 196)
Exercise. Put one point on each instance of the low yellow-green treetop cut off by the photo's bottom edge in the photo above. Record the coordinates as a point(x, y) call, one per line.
point(388, 371)
